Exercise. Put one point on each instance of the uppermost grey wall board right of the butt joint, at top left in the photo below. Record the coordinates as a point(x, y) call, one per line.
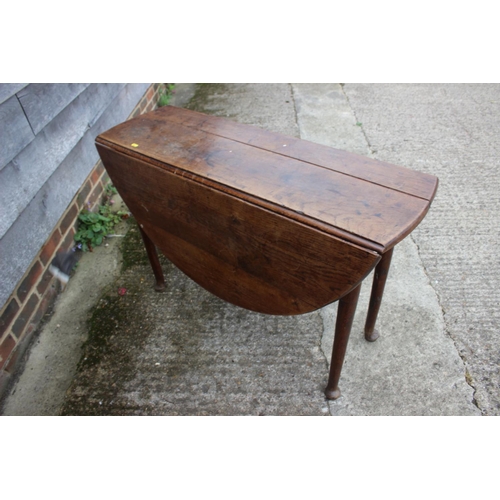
point(43, 101)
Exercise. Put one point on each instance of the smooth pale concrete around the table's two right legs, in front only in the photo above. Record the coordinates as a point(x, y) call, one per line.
point(413, 368)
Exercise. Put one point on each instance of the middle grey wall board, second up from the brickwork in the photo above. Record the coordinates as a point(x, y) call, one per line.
point(21, 179)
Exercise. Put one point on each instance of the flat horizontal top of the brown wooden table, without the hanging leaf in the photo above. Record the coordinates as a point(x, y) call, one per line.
point(356, 198)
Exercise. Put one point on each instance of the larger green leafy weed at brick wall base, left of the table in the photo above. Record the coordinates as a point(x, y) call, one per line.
point(93, 227)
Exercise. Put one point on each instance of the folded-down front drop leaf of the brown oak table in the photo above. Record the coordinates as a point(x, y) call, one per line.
point(243, 253)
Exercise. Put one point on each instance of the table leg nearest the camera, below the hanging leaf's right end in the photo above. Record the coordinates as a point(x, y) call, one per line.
point(345, 316)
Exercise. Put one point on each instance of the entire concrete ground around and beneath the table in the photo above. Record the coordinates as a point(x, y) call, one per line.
point(185, 352)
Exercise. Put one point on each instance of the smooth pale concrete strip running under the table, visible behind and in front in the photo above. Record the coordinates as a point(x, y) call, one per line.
point(414, 367)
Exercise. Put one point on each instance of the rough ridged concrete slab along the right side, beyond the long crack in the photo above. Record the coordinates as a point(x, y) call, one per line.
point(451, 131)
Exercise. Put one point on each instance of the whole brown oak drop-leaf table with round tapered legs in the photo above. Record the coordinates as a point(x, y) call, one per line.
point(271, 223)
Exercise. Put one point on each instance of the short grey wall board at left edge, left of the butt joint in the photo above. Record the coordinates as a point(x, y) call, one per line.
point(15, 131)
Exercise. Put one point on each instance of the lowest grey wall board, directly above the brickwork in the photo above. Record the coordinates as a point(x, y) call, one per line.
point(25, 237)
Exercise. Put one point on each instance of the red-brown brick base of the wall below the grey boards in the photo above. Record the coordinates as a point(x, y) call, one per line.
point(38, 289)
